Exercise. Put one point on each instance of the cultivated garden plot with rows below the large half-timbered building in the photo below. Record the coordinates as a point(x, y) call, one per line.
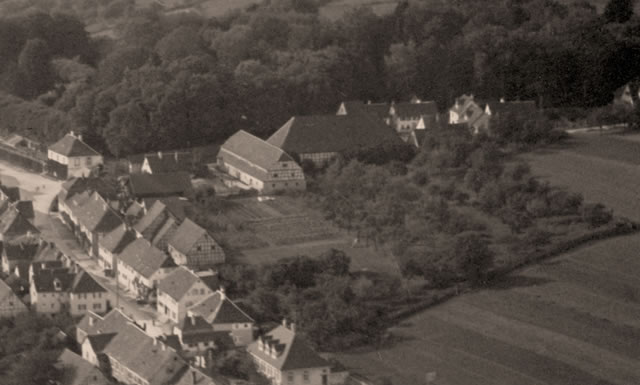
point(263, 232)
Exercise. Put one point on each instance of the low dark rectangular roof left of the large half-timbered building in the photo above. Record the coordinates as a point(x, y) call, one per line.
point(168, 184)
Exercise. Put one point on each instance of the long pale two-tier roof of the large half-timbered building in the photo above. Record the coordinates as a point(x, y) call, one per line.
point(252, 154)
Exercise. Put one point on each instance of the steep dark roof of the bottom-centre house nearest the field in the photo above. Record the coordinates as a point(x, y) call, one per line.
point(292, 351)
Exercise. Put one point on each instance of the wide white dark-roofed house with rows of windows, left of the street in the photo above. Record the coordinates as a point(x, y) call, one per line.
point(55, 290)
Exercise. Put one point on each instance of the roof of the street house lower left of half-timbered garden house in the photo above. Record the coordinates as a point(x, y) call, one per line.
point(145, 258)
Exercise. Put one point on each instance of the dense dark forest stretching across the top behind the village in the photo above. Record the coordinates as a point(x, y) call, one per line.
point(176, 81)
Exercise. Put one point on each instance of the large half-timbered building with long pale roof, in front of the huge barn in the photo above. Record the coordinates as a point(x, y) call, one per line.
point(260, 165)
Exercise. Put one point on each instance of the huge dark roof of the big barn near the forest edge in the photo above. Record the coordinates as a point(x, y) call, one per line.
point(332, 133)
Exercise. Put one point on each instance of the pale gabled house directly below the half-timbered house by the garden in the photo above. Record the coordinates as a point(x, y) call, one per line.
point(178, 291)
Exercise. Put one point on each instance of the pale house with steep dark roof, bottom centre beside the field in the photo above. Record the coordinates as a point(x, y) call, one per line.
point(286, 359)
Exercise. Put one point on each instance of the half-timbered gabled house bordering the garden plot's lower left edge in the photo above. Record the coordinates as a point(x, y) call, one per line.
point(193, 246)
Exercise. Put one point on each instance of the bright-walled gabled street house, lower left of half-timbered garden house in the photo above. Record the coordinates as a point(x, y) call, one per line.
point(141, 266)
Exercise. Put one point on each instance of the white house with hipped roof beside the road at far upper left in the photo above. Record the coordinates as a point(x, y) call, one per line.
point(71, 157)
